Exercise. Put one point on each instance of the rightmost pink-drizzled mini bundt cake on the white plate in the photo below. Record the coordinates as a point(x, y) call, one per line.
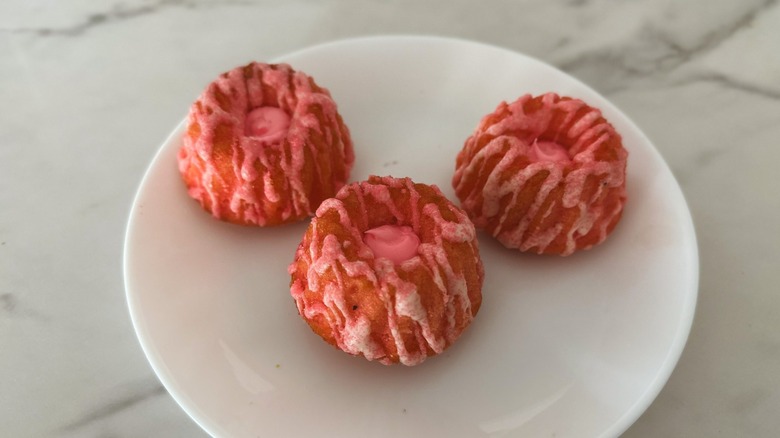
point(543, 174)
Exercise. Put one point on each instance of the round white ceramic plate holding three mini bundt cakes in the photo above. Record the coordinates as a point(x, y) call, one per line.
point(576, 346)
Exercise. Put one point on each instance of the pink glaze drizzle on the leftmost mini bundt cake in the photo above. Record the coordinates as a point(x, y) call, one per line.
point(294, 95)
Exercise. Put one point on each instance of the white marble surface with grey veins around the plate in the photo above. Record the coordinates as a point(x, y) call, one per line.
point(90, 89)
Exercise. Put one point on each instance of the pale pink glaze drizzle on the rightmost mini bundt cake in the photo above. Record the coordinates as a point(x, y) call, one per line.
point(508, 149)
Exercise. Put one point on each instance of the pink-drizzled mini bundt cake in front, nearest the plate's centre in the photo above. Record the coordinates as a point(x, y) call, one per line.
point(390, 270)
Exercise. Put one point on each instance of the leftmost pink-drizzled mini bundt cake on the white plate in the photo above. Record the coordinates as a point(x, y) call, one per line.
point(264, 145)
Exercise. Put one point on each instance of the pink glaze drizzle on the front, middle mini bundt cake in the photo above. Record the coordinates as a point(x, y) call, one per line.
point(400, 298)
